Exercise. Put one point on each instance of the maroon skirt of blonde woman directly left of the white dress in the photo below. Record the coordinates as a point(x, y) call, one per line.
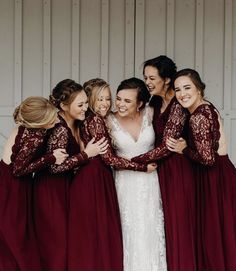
point(95, 239)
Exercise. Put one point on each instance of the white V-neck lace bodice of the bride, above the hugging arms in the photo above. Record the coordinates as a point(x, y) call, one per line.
point(124, 143)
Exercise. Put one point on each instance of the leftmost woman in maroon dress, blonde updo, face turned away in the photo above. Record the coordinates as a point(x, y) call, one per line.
point(23, 154)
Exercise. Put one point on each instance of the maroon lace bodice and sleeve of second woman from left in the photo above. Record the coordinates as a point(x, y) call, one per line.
point(61, 137)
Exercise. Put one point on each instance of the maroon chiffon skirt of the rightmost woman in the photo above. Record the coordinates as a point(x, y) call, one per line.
point(217, 215)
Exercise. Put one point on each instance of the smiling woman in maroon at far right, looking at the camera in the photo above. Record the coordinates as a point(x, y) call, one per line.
point(215, 175)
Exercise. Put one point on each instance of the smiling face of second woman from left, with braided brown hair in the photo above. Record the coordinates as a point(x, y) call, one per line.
point(76, 110)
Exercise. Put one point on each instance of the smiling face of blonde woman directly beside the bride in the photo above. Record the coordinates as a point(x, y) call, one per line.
point(102, 103)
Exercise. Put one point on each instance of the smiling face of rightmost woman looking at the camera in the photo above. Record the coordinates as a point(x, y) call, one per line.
point(188, 95)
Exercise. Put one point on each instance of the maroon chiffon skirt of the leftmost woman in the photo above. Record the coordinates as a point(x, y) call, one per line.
point(18, 247)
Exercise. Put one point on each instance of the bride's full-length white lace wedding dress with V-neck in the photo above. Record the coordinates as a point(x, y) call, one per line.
point(139, 201)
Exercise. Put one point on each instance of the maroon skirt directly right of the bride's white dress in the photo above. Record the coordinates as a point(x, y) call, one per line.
point(178, 190)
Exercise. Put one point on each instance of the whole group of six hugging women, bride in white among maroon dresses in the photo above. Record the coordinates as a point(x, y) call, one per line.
point(148, 187)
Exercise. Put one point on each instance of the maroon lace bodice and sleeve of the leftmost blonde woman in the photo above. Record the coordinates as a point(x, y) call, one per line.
point(28, 152)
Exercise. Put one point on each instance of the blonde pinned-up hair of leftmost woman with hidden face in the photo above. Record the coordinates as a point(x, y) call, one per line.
point(35, 112)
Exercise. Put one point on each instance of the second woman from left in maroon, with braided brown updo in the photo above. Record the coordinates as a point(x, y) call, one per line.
point(51, 186)
